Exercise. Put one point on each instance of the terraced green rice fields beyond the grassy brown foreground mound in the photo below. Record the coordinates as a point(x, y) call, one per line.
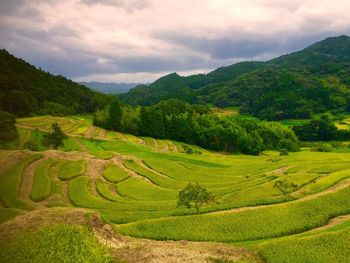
point(134, 183)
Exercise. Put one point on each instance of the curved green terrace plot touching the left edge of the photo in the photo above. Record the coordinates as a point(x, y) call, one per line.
point(10, 181)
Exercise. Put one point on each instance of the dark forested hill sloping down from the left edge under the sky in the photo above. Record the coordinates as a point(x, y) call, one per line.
point(24, 89)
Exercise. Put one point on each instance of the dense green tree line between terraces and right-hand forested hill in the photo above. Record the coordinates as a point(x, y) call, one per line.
point(195, 124)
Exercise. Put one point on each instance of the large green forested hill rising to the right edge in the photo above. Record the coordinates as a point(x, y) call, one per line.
point(296, 85)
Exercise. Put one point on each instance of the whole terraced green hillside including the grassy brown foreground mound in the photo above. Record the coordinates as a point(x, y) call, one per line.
point(111, 188)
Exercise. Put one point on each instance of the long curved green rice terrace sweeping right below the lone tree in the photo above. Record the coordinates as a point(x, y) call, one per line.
point(261, 223)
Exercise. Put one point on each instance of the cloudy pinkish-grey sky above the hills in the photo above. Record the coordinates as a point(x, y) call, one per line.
point(141, 40)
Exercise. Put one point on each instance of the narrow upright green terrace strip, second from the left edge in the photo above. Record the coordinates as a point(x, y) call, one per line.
point(41, 181)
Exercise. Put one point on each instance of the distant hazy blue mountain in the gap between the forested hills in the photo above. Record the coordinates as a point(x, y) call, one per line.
point(110, 88)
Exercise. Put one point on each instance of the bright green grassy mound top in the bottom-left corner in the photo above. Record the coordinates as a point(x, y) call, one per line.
point(58, 243)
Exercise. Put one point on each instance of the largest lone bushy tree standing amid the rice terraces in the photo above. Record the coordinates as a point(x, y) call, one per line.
point(194, 195)
